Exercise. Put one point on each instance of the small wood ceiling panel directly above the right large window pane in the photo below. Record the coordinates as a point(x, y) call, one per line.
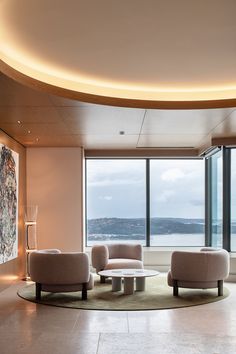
point(170, 140)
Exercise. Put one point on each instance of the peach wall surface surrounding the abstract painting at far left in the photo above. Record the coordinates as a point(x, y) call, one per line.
point(15, 268)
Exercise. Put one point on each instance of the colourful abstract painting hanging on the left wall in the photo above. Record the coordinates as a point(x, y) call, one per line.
point(9, 171)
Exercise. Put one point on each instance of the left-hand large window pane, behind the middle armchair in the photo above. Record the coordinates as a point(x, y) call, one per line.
point(116, 201)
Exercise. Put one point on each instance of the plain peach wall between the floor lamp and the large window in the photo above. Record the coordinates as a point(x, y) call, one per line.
point(55, 184)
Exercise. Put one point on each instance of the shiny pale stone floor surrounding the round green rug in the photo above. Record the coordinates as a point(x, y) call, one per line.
point(31, 329)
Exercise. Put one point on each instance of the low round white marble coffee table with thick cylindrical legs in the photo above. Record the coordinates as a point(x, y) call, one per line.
point(128, 275)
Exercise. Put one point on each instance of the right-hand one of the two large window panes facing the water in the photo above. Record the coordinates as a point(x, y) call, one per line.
point(177, 202)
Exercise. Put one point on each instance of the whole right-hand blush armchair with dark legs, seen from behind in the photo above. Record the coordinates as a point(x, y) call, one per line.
point(205, 269)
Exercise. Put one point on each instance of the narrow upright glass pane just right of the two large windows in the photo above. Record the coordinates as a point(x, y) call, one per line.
point(217, 199)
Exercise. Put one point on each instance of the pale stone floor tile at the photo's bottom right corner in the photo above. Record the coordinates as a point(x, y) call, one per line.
point(165, 344)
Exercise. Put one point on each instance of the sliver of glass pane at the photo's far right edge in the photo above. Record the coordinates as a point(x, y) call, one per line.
point(233, 200)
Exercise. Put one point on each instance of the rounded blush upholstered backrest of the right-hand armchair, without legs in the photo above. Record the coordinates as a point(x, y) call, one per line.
point(200, 266)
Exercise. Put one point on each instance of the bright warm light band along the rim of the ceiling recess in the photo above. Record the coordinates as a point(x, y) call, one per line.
point(63, 79)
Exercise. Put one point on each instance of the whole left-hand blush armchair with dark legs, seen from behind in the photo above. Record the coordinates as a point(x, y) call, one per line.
point(54, 271)
